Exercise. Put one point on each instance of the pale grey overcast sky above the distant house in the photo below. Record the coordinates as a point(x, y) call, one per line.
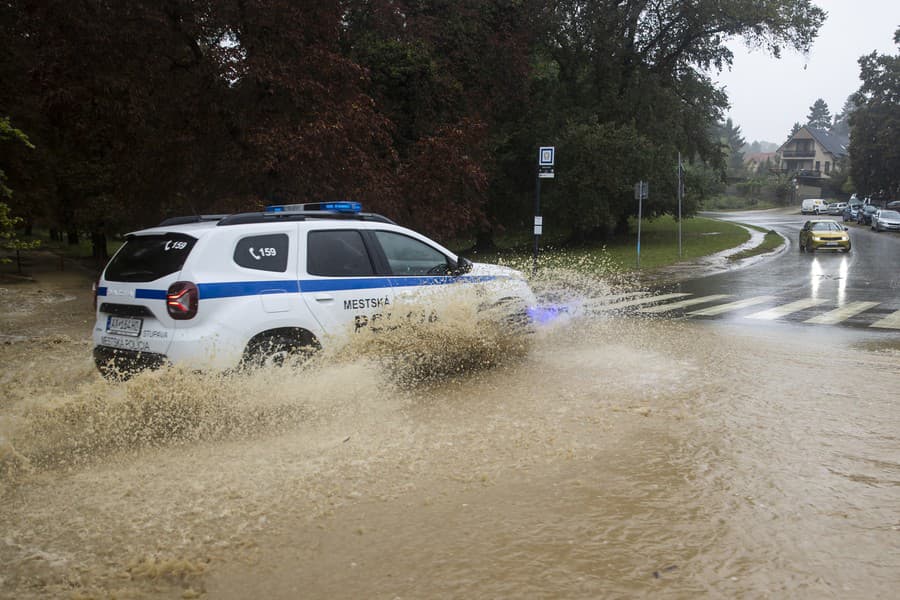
point(769, 95)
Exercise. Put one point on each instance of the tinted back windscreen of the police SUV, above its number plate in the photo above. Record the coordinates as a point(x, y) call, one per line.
point(149, 257)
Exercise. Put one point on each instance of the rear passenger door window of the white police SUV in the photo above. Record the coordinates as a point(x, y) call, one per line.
point(337, 253)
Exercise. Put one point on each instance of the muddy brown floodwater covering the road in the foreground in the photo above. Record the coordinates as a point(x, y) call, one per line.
point(605, 457)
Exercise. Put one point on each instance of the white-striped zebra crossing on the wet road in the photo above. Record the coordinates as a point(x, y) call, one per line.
point(720, 304)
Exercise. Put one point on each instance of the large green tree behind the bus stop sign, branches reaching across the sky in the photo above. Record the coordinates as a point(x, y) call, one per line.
point(639, 68)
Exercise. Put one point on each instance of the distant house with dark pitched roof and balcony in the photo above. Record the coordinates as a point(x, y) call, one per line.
point(812, 154)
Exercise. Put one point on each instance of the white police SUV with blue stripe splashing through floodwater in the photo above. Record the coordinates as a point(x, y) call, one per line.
point(223, 291)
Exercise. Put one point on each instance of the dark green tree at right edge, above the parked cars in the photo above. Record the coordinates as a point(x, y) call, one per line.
point(875, 125)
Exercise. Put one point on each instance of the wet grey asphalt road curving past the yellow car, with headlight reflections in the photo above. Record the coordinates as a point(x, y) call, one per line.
point(858, 289)
